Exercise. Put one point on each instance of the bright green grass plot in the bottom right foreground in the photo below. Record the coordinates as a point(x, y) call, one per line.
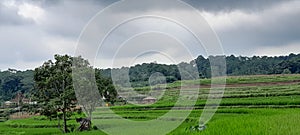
point(249, 121)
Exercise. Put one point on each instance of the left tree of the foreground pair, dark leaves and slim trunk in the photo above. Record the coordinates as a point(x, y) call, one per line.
point(54, 87)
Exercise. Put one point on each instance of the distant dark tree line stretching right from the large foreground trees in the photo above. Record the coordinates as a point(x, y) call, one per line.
point(235, 66)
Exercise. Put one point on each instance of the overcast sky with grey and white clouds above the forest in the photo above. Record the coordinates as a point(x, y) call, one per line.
point(32, 31)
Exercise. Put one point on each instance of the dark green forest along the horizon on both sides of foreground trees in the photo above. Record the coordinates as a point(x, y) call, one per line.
point(13, 81)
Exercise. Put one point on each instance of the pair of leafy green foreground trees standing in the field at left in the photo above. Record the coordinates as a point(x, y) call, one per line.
point(55, 90)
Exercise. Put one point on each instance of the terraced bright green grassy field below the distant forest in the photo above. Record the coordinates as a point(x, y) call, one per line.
point(256, 105)
